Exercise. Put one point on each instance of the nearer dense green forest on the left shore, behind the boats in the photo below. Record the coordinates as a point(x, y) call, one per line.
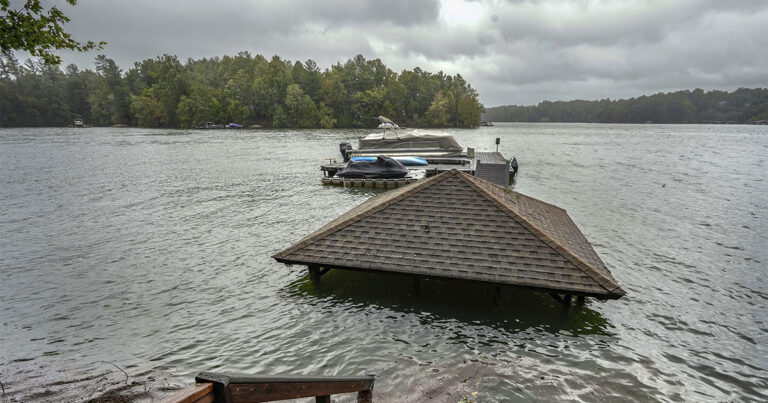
point(246, 89)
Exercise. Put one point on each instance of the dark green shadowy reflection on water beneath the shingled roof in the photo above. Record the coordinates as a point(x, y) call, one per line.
point(462, 302)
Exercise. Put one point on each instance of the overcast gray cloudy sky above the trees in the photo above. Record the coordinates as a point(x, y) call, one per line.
point(513, 51)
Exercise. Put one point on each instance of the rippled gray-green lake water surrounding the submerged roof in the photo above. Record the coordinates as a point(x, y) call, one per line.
point(151, 249)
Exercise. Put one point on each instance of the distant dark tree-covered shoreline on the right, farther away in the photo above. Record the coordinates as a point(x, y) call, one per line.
point(741, 106)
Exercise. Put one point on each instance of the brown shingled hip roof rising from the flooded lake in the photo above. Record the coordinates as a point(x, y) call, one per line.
point(459, 226)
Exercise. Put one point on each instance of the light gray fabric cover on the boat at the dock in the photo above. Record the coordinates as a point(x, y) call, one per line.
point(416, 139)
